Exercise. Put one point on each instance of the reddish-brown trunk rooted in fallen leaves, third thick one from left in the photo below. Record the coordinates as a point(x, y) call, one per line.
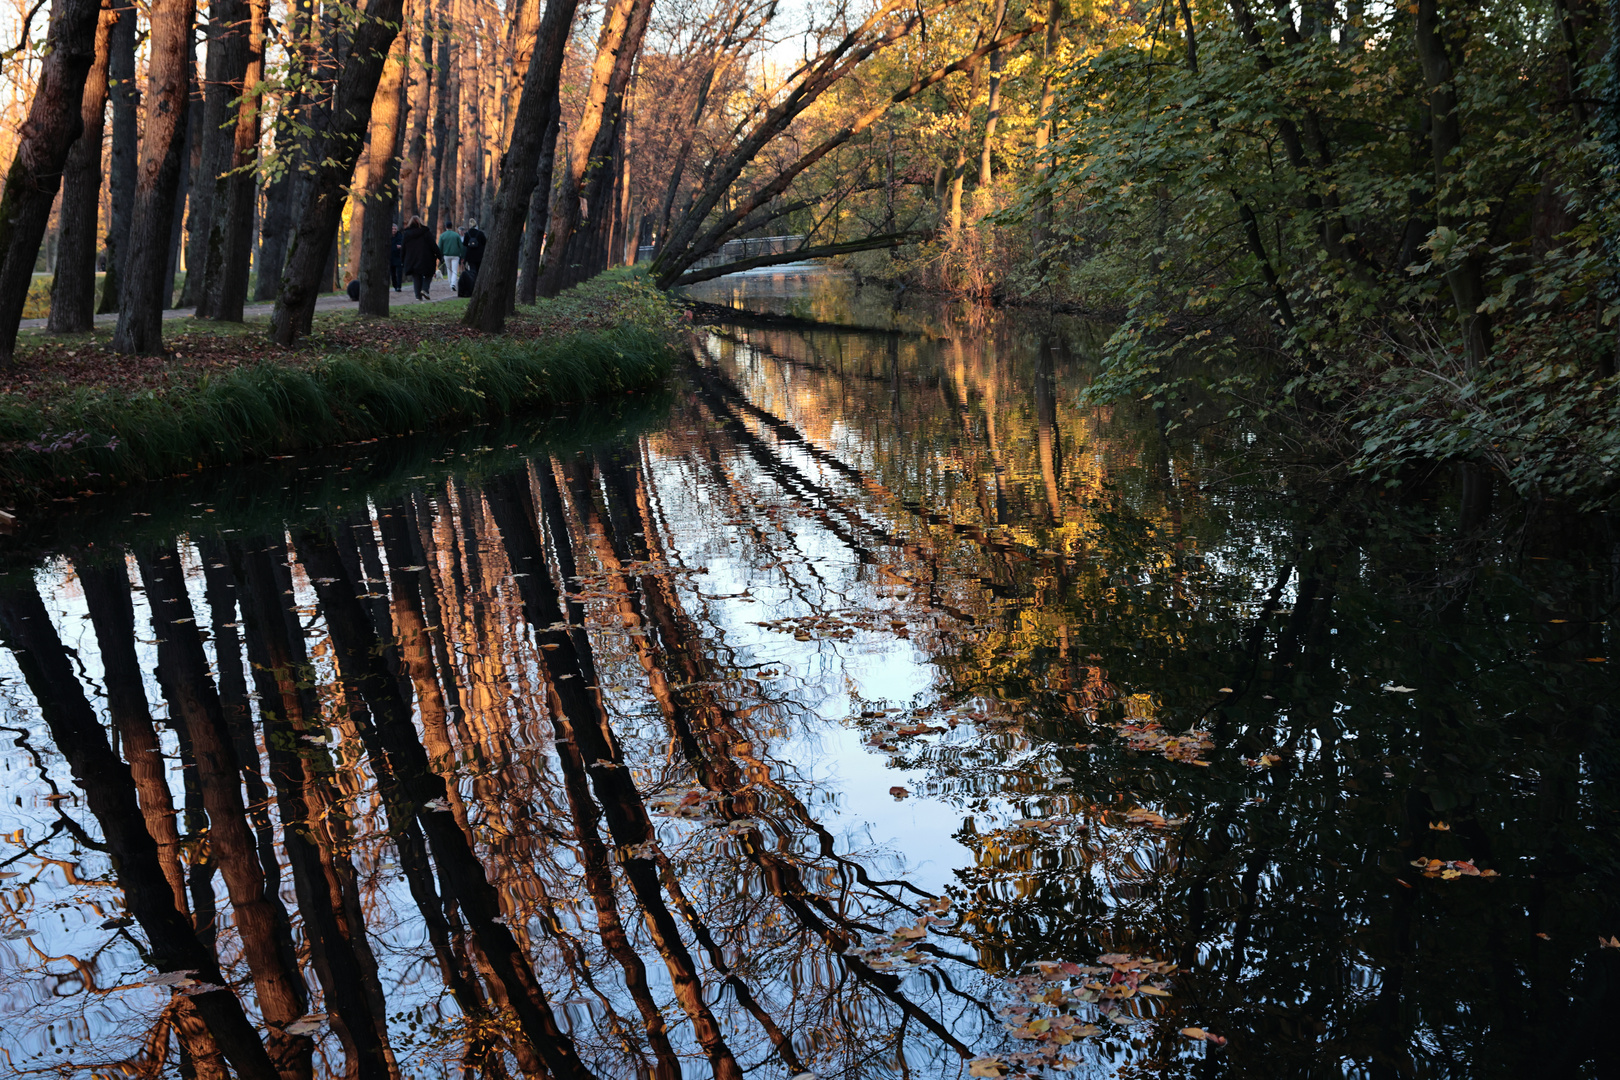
point(163, 143)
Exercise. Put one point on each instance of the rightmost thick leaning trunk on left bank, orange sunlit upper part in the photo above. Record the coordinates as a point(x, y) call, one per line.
point(590, 176)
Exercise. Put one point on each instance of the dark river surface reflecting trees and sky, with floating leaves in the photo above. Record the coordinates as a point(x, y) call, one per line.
point(866, 707)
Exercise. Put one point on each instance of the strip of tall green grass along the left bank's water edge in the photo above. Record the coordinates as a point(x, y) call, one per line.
point(93, 436)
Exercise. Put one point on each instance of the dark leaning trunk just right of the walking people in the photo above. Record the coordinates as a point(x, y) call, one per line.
point(531, 153)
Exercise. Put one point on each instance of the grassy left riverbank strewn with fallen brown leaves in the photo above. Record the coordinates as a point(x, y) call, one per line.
point(77, 419)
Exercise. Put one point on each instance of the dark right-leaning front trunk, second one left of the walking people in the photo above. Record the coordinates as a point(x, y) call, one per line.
point(357, 87)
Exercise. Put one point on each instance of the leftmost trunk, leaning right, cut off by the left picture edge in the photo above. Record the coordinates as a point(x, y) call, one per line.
point(54, 122)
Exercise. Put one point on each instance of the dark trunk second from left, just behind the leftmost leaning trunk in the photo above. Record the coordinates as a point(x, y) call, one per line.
point(74, 291)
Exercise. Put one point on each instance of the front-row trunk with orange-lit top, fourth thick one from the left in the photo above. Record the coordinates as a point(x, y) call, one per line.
point(231, 237)
